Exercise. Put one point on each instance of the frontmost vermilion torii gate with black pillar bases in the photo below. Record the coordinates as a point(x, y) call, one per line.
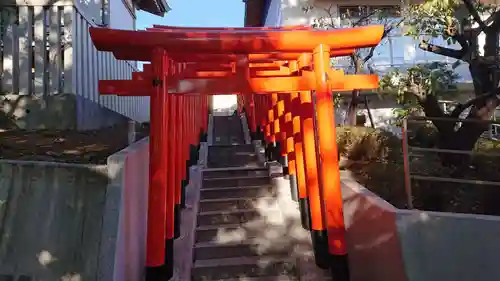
point(221, 61)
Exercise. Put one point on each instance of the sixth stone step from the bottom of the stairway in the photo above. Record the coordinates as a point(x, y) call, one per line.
point(238, 192)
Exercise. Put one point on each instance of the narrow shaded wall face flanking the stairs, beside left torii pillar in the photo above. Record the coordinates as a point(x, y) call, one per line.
point(123, 246)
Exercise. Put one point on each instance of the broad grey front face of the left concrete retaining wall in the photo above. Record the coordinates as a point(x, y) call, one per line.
point(51, 219)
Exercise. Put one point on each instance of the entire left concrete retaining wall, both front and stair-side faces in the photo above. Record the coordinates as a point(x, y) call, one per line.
point(75, 222)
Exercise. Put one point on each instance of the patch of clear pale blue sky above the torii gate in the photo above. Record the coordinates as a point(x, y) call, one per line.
point(203, 13)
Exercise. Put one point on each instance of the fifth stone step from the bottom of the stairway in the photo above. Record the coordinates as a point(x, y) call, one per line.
point(228, 204)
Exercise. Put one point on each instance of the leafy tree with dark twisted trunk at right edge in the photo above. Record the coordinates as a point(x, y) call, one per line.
point(459, 22)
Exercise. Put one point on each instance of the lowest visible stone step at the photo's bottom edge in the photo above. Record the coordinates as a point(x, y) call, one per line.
point(244, 267)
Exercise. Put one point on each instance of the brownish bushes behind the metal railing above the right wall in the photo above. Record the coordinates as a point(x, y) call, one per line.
point(376, 160)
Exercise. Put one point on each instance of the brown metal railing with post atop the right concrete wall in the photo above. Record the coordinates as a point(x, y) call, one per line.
point(435, 165)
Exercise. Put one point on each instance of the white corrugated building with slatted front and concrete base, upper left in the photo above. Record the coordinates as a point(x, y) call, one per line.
point(49, 67)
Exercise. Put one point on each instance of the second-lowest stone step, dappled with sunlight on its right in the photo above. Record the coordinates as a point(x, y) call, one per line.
point(247, 248)
